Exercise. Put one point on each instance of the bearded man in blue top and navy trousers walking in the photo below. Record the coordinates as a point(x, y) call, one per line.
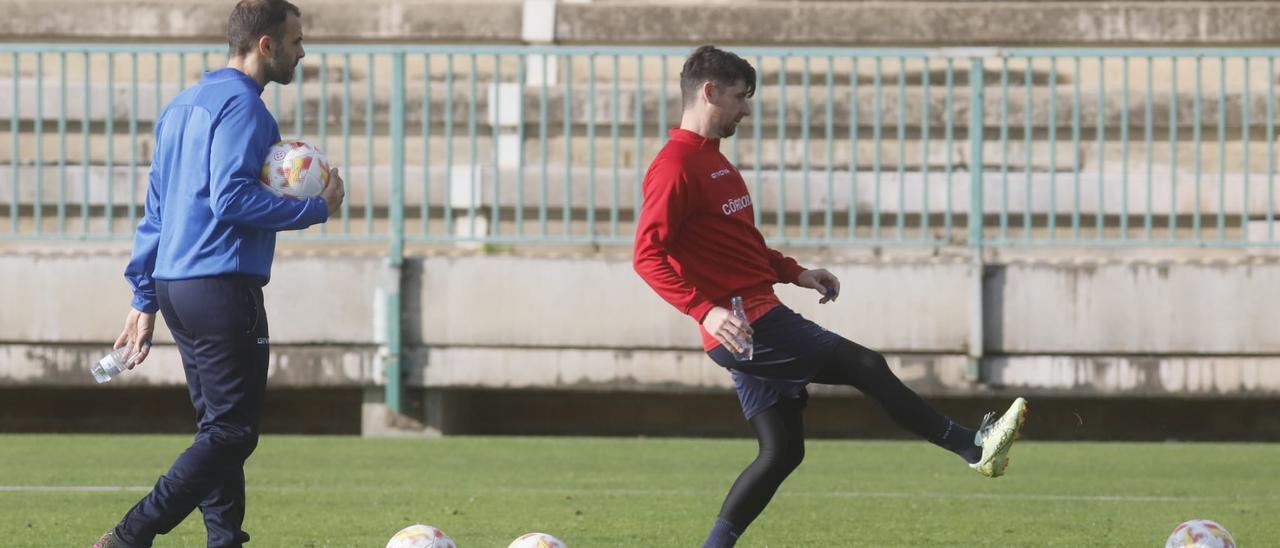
point(202, 257)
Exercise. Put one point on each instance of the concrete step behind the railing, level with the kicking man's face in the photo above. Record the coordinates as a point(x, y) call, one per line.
point(602, 108)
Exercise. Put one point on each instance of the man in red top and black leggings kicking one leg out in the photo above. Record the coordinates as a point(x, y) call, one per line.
point(698, 248)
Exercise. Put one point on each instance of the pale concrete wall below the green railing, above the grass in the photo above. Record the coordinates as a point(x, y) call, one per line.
point(1069, 327)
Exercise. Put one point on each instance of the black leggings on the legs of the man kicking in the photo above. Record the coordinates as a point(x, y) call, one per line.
point(780, 430)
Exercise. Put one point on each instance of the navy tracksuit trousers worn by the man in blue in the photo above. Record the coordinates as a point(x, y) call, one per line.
point(221, 330)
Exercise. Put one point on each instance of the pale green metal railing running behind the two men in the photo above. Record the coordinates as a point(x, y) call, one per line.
point(548, 144)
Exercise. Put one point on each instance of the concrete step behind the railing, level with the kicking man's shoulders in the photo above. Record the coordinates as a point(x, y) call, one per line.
point(839, 153)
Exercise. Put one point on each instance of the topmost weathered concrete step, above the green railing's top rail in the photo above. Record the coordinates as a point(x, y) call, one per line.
point(685, 22)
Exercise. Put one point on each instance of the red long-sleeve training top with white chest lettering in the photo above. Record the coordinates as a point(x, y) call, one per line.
point(697, 244)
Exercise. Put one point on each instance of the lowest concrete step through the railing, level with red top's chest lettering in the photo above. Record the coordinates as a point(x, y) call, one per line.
point(912, 193)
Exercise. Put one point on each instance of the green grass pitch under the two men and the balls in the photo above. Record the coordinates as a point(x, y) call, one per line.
point(609, 492)
